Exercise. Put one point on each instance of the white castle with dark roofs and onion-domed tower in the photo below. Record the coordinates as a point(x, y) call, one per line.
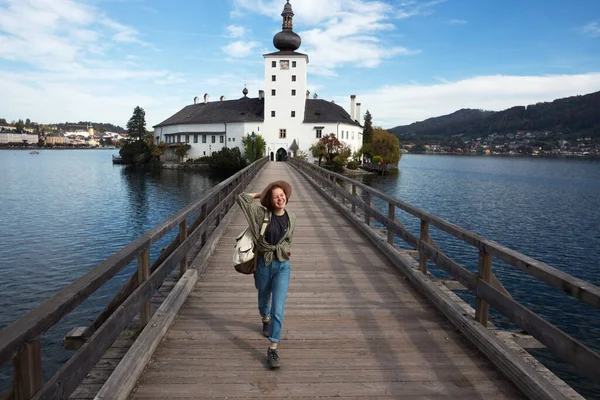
point(283, 113)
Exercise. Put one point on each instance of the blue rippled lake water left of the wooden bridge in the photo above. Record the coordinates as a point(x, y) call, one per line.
point(62, 212)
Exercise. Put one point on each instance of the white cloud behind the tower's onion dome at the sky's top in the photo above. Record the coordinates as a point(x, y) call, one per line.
point(344, 33)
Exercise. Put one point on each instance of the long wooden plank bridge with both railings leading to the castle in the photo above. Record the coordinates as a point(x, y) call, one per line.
point(364, 318)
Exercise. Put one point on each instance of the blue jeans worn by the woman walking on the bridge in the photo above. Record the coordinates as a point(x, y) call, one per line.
point(272, 282)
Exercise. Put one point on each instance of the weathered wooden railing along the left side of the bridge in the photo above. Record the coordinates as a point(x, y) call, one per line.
point(20, 341)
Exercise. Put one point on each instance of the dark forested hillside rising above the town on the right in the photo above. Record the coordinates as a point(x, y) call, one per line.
point(577, 115)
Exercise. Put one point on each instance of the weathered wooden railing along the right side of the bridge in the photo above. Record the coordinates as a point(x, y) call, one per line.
point(483, 285)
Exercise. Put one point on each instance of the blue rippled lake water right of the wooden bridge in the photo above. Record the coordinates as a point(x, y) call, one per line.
point(548, 209)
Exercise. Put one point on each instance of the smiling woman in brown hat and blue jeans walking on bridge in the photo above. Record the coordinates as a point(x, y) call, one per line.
point(272, 274)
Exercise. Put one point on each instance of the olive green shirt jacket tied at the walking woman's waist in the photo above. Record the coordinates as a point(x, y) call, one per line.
point(255, 214)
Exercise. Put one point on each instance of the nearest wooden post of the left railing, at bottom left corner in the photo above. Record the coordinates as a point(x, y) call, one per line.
point(28, 371)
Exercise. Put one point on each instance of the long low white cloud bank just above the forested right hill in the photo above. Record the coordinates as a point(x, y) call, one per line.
point(404, 104)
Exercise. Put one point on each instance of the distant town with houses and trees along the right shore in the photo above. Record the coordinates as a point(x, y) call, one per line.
point(518, 143)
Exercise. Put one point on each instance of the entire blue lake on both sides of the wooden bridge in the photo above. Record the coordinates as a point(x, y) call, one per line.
point(65, 211)
